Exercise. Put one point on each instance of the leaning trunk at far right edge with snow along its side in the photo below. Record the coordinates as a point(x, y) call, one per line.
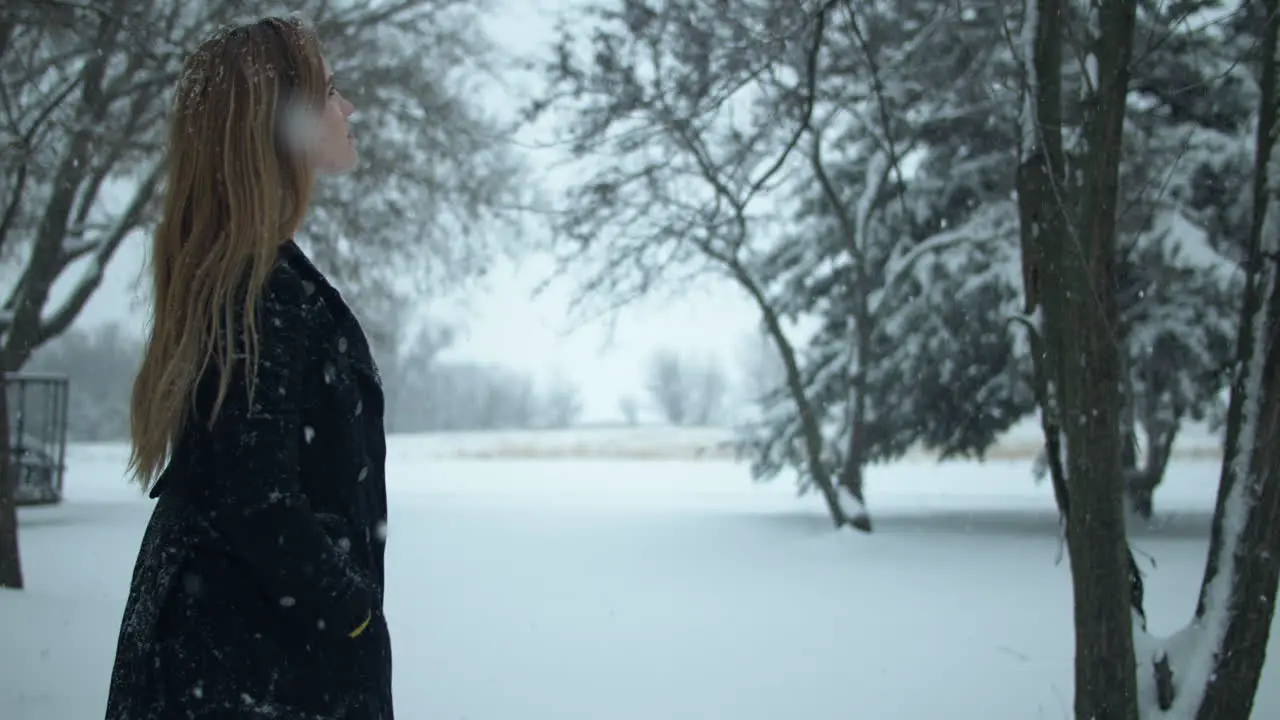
point(1242, 572)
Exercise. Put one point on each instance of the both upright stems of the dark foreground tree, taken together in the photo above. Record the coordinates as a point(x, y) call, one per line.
point(1069, 227)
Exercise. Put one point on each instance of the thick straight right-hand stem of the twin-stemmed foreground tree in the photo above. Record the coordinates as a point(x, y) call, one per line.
point(1092, 395)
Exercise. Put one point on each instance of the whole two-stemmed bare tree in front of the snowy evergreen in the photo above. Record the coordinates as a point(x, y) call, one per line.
point(711, 126)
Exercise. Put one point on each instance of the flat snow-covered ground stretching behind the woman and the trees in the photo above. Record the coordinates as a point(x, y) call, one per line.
point(641, 590)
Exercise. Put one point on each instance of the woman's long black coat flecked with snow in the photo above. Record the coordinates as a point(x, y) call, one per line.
point(264, 553)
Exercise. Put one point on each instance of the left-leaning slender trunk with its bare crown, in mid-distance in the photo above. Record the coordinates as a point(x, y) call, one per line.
point(687, 161)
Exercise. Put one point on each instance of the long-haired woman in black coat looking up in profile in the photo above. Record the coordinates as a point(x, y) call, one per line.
point(257, 418)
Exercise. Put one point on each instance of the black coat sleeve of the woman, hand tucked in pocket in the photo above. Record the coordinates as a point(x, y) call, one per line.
point(260, 507)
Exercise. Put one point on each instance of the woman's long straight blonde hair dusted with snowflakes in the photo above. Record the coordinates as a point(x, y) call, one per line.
point(236, 192)
